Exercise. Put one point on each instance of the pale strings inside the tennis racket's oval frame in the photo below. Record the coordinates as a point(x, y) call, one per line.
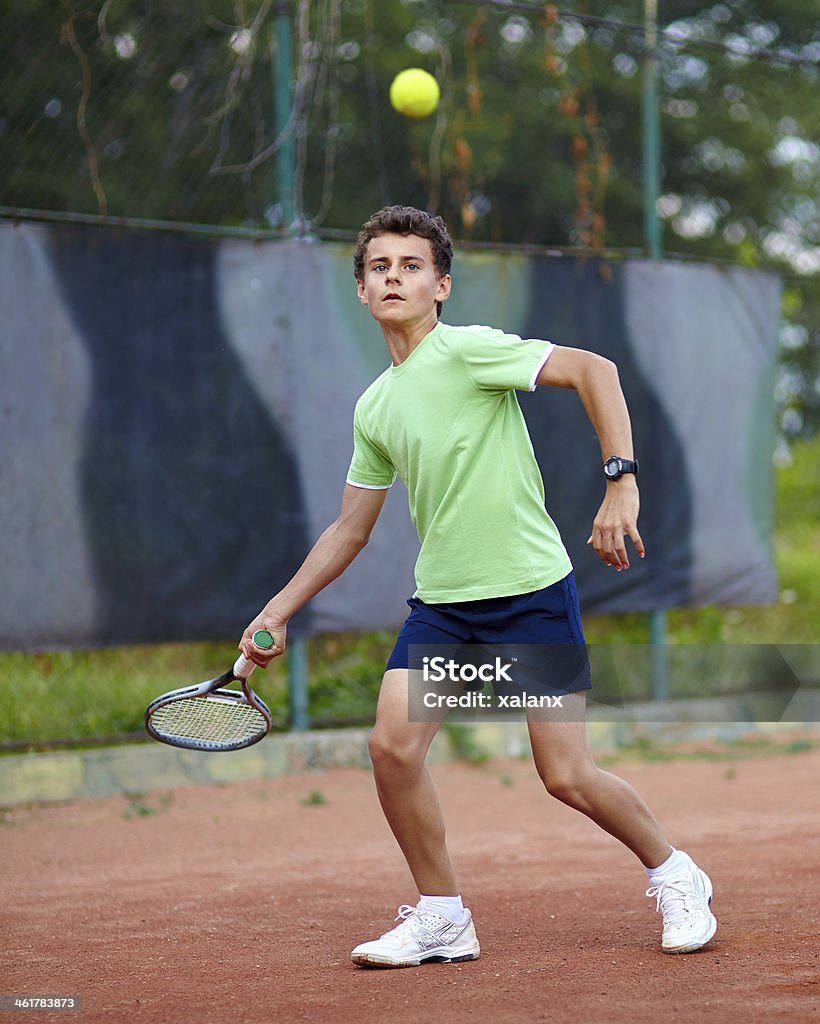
point(209, 719)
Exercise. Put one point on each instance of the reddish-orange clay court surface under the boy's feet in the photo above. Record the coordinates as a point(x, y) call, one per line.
point(241, 903)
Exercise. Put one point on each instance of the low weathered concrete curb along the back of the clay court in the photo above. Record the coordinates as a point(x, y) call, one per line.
point(140, 769)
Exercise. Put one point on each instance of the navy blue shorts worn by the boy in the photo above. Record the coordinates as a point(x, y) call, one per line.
point(543, 619)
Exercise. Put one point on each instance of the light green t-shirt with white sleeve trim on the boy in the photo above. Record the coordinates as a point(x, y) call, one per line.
point(448, 422)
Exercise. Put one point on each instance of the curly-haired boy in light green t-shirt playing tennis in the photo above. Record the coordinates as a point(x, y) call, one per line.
point(492, 569)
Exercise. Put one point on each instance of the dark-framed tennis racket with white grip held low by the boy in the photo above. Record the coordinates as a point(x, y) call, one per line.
point(207, 717)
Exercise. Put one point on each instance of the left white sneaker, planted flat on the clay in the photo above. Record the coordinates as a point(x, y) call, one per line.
point(421, 938)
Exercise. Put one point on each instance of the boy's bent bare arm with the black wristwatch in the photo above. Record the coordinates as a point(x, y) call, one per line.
point(596, 381)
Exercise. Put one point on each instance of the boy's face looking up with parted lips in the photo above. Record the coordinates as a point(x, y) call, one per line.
point(401, 285)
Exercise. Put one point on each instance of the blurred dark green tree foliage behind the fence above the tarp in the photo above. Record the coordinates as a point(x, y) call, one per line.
point(136, 109)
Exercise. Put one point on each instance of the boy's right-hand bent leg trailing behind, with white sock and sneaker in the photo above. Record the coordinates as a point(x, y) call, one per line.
point(567, 767)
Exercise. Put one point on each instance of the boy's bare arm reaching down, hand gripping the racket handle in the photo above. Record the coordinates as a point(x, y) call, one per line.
point(329, 558)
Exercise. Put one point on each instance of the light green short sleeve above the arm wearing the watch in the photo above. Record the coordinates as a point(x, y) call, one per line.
point(503, 362)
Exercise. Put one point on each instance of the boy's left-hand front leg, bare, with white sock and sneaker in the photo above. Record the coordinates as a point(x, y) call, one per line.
point(440, 929)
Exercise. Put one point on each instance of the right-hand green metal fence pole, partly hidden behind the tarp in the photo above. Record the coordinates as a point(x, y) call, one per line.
point(652, 193)
